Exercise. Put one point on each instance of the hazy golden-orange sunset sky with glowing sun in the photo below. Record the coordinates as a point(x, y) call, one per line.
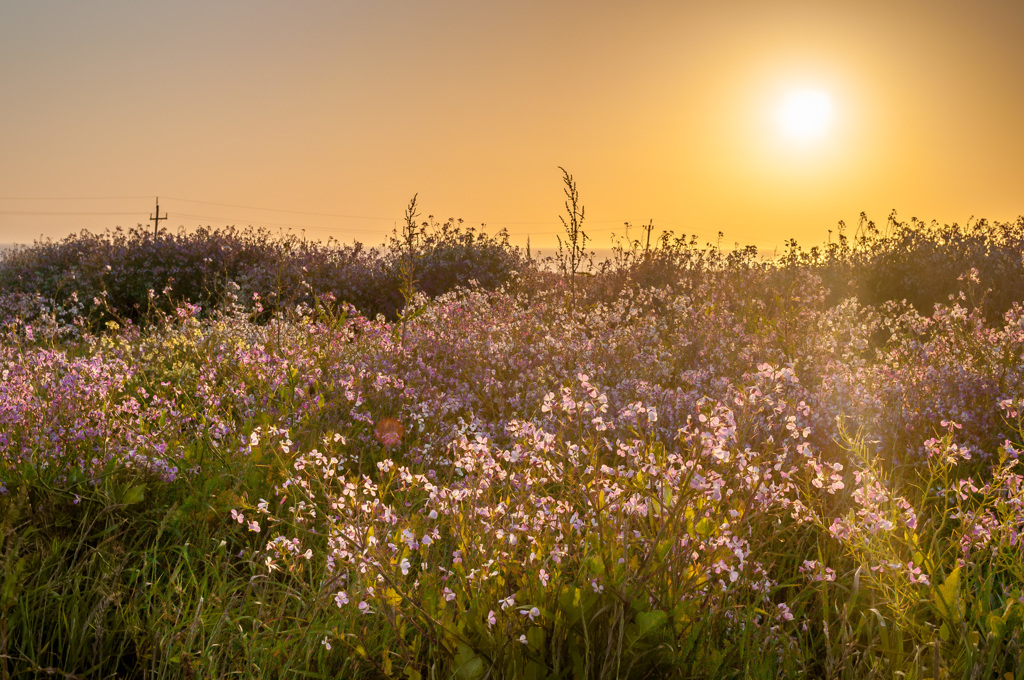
point(327, 117)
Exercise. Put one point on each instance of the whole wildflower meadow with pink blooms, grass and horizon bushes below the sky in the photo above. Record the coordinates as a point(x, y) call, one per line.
point(227, 454)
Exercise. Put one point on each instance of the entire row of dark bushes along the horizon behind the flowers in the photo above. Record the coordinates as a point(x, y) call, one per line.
point(126, 276)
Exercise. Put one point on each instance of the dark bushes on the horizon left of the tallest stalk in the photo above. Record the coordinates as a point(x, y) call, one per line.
point(125, 276)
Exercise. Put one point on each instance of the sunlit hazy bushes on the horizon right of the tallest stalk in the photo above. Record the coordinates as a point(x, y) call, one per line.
point(923, 264)
